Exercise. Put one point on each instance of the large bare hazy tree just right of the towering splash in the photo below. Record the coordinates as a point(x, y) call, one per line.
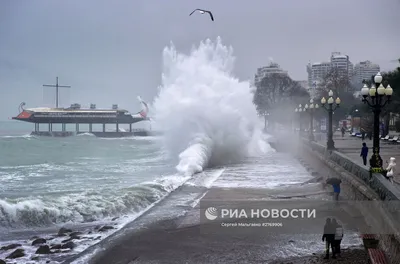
point(277, 93)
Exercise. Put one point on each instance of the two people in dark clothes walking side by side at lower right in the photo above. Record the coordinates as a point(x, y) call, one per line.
point(333, 234)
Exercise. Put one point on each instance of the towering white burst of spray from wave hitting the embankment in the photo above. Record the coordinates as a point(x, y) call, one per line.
point(206, 114)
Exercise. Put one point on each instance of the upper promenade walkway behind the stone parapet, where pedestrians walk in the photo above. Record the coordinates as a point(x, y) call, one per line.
point(351, 147)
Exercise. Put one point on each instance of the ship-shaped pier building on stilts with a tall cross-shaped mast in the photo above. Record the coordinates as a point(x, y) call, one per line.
point(78, 117)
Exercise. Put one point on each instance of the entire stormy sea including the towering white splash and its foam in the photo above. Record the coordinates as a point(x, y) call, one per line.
point(211, 137)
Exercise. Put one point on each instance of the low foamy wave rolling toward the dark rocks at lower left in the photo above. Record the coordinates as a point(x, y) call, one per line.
point(83, 207)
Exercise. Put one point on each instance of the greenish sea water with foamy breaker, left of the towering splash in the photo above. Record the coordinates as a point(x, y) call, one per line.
point(46, 180)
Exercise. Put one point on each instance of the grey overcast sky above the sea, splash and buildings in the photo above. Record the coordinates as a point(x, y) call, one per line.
point(110, 51)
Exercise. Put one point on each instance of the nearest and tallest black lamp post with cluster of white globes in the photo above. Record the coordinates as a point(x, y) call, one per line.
point(376, 98)
